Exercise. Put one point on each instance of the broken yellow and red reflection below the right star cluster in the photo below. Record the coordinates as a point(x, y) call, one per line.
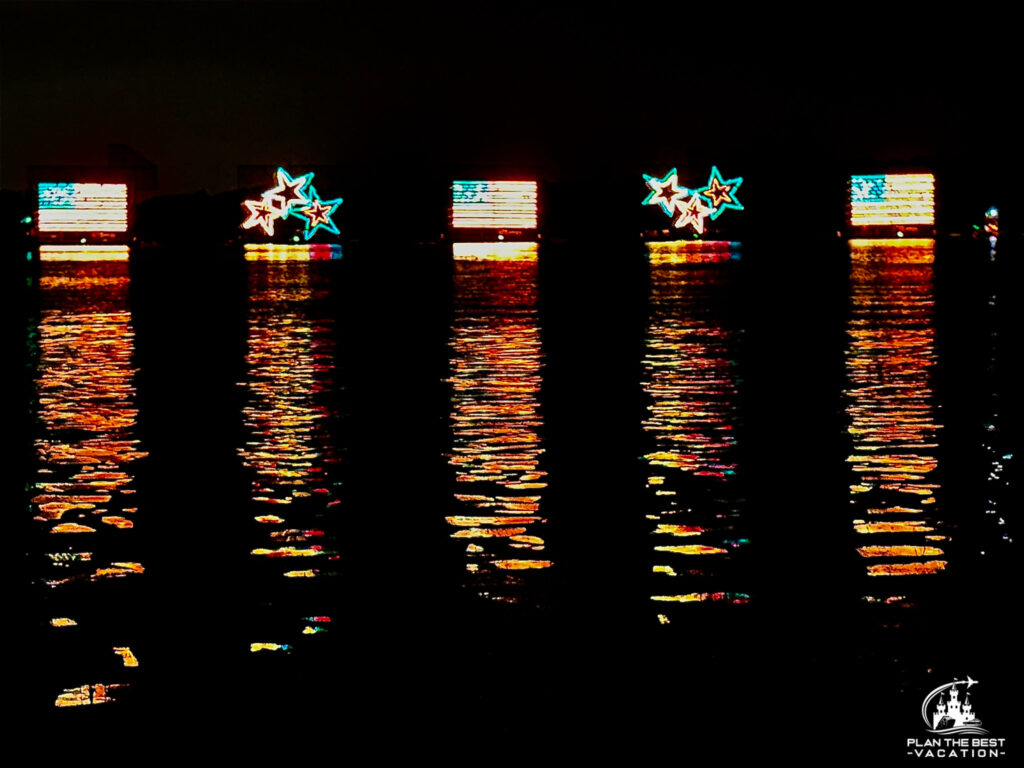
point(690, 378)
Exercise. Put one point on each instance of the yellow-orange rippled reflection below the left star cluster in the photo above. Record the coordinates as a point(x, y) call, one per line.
point(290, 449)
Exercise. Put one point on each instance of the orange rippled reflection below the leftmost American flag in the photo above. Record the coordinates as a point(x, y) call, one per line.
point(87, 446)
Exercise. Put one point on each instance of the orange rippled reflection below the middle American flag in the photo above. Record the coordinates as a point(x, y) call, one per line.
point(496, 378)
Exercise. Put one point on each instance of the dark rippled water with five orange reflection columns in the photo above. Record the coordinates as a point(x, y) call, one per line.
point(584, 499)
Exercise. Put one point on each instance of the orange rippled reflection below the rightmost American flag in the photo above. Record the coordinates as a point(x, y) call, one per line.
point(889, 364)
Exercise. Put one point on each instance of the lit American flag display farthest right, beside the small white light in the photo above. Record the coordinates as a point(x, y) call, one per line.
point(892, 200)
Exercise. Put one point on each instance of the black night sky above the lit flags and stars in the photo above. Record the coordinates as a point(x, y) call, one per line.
point(201, 89)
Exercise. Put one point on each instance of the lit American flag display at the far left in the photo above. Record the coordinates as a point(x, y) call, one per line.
point(83, 208)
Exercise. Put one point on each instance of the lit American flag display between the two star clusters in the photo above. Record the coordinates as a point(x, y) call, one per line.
point(494, 205)
